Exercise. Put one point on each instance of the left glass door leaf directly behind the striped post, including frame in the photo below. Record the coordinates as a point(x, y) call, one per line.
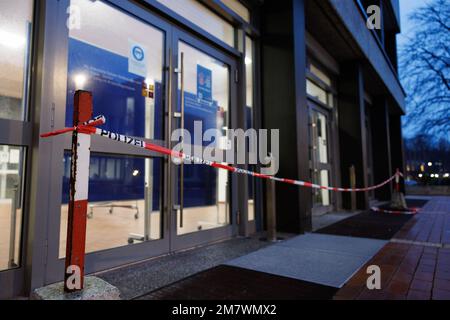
point(124, 69)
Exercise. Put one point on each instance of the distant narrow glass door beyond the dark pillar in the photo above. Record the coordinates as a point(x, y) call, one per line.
point(320, 159)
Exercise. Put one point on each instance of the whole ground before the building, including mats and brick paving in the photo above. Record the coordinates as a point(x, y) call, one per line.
point(414, 257)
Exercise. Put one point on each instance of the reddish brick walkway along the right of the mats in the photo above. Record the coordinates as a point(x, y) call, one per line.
point(415, 264)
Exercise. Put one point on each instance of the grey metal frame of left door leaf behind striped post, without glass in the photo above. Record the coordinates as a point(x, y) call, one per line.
point(114, 257)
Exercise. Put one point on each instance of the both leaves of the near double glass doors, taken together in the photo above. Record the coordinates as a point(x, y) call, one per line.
point(148, 79)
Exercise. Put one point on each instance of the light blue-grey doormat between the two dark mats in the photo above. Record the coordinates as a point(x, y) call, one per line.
point(323, 259)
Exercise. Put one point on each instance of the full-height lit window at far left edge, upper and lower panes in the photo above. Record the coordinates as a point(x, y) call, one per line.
point(15, 47)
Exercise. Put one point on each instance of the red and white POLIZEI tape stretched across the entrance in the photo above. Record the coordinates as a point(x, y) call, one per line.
point(90, 128)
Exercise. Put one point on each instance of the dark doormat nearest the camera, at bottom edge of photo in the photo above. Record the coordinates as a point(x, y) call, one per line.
point(232, 283)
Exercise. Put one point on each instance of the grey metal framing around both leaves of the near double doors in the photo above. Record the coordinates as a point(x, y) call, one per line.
point(54, 104)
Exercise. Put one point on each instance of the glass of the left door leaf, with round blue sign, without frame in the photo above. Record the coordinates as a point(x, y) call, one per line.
point(121, 61)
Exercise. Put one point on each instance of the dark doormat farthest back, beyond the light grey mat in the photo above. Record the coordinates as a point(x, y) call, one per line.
point(368, 224)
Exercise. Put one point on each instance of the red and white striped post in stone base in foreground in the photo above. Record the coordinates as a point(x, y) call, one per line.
point(78, 201)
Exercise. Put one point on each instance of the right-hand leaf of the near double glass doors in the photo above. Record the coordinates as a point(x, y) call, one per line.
point(203, 103)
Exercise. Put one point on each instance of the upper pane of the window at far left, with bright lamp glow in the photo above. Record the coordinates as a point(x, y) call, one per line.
point(15, 39)
